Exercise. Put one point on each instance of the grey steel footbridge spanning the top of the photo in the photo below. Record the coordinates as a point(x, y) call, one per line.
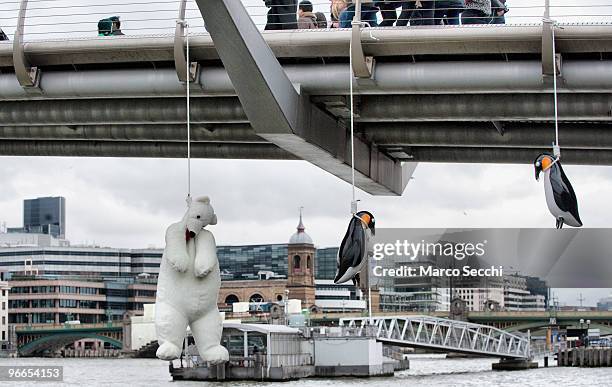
point(453, 94)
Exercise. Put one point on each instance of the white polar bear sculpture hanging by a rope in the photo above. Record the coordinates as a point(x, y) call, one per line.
point(188, 287)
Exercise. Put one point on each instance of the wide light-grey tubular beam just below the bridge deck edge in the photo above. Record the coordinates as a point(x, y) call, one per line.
point(437, 77)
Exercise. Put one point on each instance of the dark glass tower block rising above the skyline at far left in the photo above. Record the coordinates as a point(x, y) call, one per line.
point(44, 216)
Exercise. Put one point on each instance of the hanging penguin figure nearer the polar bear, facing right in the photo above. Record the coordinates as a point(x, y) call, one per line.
point(353, 253)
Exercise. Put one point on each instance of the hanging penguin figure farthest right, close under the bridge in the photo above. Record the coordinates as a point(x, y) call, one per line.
point(560, 195)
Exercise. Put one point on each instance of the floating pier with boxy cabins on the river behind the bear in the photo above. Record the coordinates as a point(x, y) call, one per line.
point(280, 353)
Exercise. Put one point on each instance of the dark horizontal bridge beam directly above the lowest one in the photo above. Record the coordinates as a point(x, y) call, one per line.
point(596, 136)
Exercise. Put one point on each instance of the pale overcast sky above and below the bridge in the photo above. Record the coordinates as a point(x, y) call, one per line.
point(130, 202)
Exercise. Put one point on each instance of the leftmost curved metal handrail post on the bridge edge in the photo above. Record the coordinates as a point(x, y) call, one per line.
point(28, 76)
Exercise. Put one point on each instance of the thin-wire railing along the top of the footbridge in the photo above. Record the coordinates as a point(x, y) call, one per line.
point(63, 19)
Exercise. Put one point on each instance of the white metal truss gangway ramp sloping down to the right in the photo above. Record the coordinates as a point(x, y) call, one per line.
point(442, 335)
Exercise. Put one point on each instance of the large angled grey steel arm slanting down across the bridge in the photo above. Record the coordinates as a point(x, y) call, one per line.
point(282, 114)
